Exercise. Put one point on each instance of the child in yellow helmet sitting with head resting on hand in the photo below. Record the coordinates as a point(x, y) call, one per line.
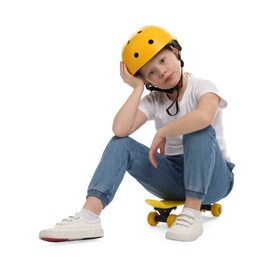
point(187, 159)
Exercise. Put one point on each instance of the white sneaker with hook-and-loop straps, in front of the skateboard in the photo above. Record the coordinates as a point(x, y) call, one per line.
point(187, 227)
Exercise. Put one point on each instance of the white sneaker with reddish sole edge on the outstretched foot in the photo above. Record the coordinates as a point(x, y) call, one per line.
point(73, 228)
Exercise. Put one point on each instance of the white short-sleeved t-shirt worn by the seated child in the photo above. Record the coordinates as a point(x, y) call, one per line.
point(154, 106)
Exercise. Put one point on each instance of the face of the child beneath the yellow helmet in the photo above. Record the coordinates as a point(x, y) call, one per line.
point(163, 70)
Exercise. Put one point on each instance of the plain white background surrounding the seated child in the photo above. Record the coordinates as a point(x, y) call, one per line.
point(60, 89)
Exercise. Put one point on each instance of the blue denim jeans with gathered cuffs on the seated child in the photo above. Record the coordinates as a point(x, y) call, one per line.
point(201, 172)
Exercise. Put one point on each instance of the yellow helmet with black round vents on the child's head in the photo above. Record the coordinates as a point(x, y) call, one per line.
point(144, 45)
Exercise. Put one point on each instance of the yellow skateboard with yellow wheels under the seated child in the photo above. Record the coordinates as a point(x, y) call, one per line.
point(163, 210)
